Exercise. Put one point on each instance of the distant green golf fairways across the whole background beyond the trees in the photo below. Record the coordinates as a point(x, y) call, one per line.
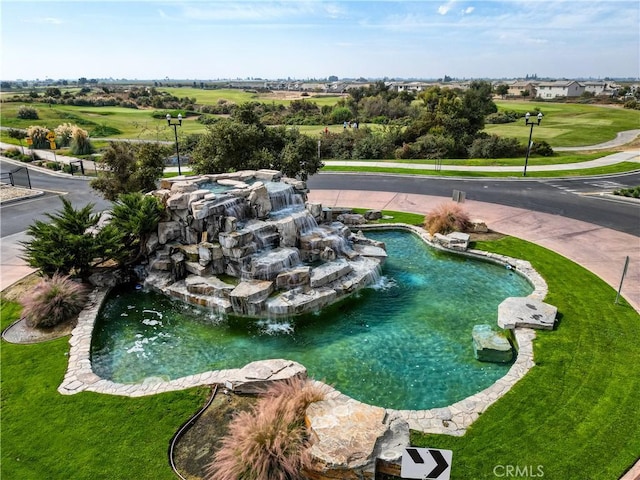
point(563, 124)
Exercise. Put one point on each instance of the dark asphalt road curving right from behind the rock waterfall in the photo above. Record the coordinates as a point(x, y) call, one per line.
point(577, 198)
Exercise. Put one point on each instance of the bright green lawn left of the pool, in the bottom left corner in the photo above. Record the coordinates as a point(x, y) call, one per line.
point(84, 436)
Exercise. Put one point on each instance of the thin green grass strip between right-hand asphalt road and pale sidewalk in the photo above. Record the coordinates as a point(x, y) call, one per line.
point(609, 169)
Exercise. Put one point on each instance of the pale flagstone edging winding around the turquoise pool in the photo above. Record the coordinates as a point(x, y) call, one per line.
point(452, 420)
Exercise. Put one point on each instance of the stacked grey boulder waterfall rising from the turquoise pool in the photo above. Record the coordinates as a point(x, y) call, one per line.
point(249, 243)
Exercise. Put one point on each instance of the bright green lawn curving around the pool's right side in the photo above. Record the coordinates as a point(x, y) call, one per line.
point(575, 413)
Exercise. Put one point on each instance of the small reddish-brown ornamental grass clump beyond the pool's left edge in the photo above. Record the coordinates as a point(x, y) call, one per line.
point(52, 301)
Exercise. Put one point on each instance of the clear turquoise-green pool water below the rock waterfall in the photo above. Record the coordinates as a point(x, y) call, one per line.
point(405, 344)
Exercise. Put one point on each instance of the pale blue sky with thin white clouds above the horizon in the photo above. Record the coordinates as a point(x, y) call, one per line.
point(205, 40)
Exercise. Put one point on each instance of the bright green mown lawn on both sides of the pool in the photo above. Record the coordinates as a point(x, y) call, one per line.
point(574, 413)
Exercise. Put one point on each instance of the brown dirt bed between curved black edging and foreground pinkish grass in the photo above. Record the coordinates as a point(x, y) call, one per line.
point(195, 449)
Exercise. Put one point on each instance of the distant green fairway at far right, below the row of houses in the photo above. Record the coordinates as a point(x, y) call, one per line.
point(568, 124)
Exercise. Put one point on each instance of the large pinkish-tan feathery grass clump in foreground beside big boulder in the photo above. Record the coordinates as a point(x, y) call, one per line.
point(271, 441)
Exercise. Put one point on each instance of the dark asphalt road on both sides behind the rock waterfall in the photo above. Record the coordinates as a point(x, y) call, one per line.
point(577, 198)
